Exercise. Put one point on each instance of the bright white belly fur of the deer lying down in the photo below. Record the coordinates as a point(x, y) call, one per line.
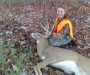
point(69, 67)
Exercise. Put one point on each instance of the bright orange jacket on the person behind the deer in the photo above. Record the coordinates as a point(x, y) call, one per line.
point(61, 24)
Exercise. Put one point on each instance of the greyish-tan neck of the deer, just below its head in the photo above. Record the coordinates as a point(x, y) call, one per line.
point(42, 45)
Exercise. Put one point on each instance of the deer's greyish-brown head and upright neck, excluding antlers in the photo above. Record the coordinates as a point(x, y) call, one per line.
point(42, 43)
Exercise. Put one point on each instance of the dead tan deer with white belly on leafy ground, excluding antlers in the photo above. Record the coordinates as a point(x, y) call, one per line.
point(67, 60)
